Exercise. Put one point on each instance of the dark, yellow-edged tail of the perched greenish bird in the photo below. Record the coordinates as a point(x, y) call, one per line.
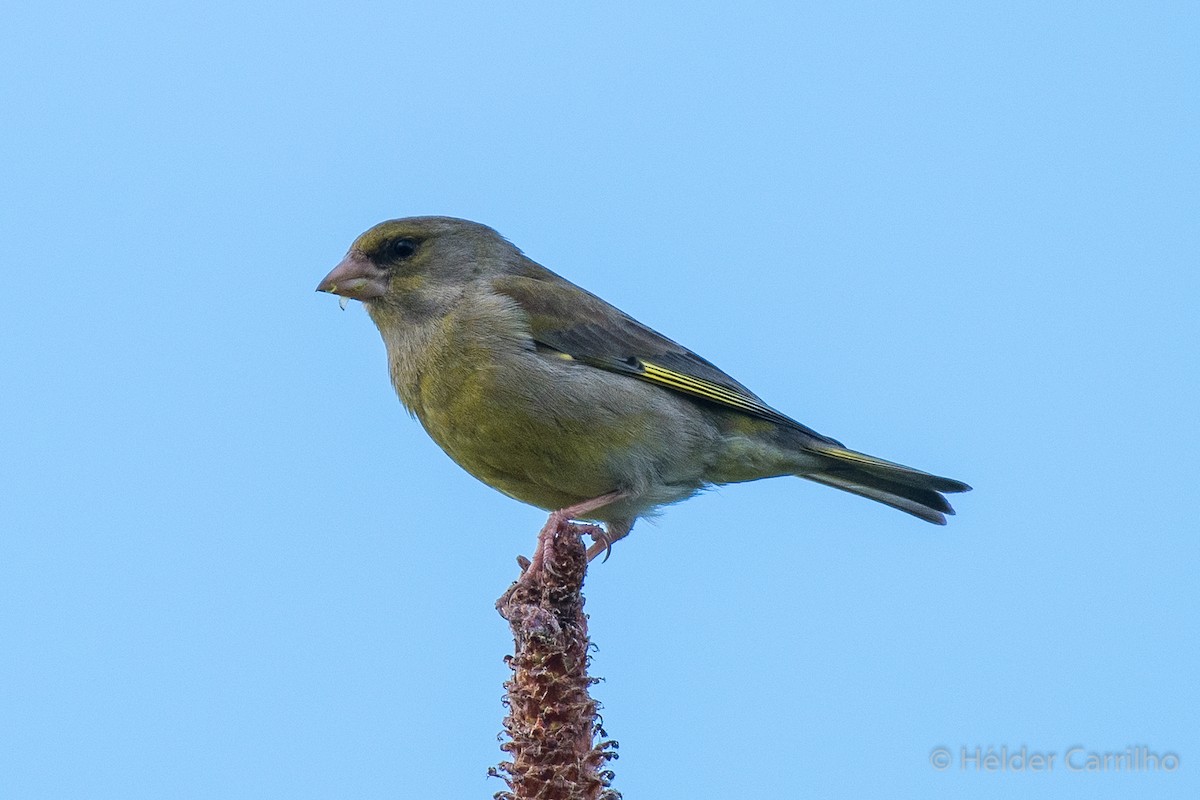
point(896, 485)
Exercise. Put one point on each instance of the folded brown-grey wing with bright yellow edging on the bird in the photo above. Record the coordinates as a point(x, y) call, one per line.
point(578, 324)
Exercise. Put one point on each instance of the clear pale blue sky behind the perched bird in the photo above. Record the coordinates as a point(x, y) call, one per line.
point(963, 237)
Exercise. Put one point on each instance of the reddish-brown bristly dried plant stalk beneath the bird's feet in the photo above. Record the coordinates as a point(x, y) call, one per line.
point(555, 738)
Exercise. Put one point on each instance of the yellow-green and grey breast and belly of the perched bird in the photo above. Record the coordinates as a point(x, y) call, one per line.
point(544, 430)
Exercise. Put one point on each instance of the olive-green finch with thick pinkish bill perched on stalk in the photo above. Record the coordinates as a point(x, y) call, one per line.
point(560, 400)
